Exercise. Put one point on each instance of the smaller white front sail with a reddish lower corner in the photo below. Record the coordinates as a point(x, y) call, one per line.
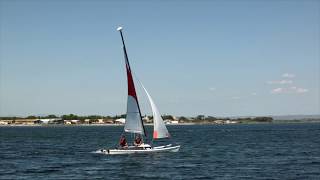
point(159, 129)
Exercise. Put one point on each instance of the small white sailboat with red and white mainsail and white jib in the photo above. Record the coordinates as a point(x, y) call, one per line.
point(134, 123)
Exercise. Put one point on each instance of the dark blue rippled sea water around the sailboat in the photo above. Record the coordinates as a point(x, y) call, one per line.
point(265, 151)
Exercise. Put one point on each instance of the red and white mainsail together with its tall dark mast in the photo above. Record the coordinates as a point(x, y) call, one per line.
point(134, 122)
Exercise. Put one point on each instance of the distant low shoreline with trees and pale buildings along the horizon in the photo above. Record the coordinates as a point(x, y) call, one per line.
point(118, 120)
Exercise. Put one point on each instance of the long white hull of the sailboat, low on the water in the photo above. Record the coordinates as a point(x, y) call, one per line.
point(167, 148)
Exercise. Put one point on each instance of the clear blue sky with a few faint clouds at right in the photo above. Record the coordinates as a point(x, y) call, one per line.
point(217, 58)
